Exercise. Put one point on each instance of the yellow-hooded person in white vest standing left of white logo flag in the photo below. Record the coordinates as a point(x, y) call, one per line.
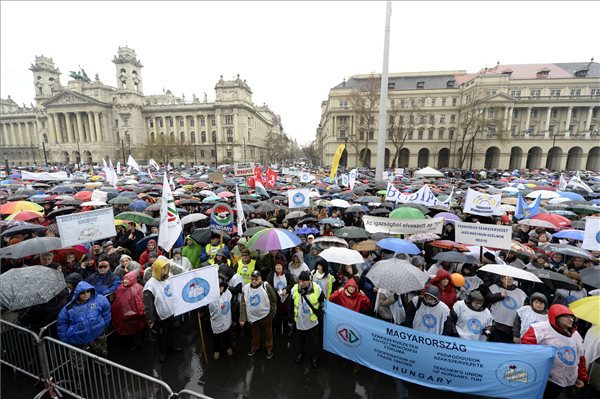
point(158, 307)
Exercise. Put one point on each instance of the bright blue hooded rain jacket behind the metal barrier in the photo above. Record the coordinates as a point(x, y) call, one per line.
point(81, 323)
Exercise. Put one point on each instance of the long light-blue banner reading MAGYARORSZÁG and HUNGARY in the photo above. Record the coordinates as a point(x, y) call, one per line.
point(437, 361)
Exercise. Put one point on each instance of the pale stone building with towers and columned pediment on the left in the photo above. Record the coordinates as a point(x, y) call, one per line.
point(87, 120)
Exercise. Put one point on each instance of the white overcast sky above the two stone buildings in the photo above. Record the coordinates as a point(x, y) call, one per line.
point(290, 53)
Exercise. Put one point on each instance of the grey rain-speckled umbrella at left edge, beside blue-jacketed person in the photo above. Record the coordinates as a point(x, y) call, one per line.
point(29, 286)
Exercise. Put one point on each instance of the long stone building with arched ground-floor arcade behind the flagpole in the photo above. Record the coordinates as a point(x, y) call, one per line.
point(507, 117)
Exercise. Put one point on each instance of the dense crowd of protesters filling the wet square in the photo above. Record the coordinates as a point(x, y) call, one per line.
point(121, 282)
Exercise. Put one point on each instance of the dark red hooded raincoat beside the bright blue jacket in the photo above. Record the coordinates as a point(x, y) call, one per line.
point(127, 310)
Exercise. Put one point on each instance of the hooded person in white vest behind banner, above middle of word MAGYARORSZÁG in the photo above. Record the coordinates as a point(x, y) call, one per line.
point(428, 314)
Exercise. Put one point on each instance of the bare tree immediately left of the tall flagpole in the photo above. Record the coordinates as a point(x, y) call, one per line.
point(365, 104)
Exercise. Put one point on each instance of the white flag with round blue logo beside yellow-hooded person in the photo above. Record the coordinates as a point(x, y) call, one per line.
point(194, 289)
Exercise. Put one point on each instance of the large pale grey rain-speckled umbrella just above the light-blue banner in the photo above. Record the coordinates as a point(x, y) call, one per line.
point(397, 275)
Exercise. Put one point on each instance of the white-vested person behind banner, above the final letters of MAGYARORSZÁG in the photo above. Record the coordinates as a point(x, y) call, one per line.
point(472, 320)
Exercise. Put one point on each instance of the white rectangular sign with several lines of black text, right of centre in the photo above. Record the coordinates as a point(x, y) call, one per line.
point(485, 235)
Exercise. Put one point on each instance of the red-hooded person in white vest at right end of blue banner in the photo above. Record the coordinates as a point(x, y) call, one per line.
point(569, 364)
